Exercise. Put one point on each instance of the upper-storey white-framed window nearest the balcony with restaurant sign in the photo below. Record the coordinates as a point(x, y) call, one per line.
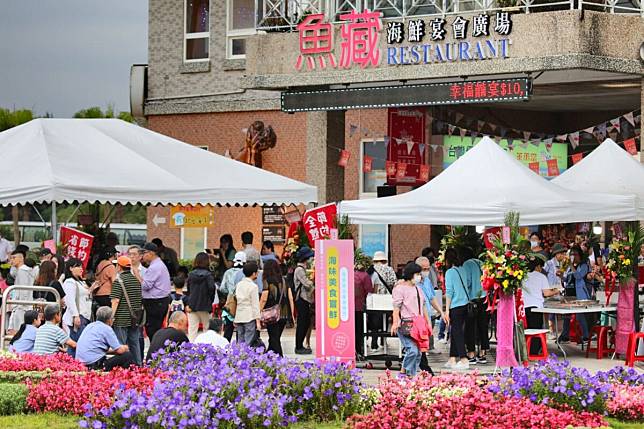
point(241, 24)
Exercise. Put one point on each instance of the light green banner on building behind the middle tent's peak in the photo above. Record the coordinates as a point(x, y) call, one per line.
point(455, 147)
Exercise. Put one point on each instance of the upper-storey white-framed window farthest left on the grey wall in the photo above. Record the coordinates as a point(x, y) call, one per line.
point(197, 30)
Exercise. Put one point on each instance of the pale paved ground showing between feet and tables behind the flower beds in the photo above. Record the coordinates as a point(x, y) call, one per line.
point(436, 361)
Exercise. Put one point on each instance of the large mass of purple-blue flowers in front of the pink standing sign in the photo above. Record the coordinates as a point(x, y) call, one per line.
point(236, 387)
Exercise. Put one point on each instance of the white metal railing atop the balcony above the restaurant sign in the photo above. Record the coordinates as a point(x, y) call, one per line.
point(285, 15)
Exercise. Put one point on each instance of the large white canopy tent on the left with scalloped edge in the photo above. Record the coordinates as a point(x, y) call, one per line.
point(112, 161)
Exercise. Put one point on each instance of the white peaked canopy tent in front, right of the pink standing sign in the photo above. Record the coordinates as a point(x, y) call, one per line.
point(480, 188)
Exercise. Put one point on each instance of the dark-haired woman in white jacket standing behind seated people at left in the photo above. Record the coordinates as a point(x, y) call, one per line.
point(77, 300)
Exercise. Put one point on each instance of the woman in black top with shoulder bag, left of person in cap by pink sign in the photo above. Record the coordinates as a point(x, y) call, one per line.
point(274, 304)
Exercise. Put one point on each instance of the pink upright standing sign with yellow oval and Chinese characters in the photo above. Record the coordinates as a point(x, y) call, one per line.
point(334, 301)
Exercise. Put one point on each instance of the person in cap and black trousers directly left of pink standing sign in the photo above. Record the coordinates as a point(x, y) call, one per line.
point(304, 293)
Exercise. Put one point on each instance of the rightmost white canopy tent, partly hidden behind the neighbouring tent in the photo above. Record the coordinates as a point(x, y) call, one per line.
point(608, 169)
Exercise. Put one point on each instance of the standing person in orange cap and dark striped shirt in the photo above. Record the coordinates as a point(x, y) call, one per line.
point(126, 329)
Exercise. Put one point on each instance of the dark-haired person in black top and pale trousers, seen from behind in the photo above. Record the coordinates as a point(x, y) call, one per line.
point(201, 292)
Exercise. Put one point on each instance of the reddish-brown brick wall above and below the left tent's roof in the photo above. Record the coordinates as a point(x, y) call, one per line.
point(221, 131)
